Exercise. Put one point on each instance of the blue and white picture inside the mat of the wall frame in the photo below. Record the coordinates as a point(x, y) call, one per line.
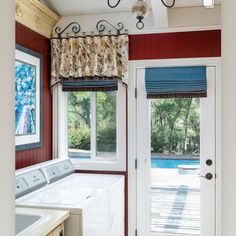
point(25, 98)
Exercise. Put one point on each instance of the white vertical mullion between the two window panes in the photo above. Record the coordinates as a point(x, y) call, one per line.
point(93, 125)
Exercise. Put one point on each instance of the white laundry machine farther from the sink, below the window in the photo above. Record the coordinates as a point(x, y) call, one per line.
point(113, 185)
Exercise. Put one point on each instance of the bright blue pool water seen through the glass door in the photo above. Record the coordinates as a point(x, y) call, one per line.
point(172, 163)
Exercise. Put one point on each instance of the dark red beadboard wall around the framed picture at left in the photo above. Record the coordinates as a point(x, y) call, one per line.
point(40, 44)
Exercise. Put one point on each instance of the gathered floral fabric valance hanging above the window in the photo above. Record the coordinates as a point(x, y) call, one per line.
point(100, 58)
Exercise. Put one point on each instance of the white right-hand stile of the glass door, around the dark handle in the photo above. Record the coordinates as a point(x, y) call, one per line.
point(207, 150)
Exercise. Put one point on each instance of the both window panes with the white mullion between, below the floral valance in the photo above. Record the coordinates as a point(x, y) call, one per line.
point(92, 125)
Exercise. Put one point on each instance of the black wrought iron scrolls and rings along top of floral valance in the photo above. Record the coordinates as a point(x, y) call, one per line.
point(101, 26)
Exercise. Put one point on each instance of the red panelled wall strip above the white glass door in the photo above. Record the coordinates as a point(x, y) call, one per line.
point(175, 45)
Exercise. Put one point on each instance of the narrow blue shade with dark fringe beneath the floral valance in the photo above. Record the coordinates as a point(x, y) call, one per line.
point(90, 85)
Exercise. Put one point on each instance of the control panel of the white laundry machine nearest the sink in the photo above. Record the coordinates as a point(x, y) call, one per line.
point(29, 181)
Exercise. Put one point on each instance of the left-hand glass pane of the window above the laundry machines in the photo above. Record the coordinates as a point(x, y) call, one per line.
point(79, 124)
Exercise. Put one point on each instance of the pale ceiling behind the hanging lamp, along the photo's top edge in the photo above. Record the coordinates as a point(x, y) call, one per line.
point(82, 7)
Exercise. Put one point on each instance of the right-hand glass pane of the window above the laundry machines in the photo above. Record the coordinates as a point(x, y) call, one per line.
point(106, 124)
